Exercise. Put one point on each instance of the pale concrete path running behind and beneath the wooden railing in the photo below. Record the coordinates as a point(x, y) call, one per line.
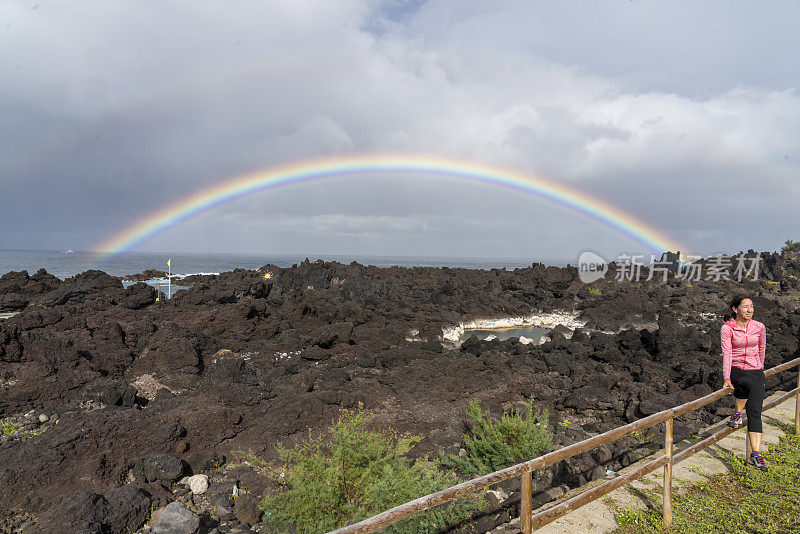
point(598, 516)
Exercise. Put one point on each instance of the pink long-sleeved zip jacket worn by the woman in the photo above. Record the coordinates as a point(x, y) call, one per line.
point(742, 347)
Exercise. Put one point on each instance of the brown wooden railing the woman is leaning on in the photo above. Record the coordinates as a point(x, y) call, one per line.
point(525, 470)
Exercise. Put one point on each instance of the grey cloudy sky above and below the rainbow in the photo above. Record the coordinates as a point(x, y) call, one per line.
point(684, 114)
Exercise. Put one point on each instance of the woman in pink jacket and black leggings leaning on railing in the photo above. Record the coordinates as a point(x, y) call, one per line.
point(744, 344)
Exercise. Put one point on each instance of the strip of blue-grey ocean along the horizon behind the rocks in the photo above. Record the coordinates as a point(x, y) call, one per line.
point(64, 265)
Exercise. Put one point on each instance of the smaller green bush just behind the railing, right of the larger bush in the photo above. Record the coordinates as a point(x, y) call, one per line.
point(495, 444)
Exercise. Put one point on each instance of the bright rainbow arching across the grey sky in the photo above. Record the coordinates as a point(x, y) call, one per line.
point(381, 165)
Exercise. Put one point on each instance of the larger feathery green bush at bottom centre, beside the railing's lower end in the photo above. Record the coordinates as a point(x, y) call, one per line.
point(356, 474)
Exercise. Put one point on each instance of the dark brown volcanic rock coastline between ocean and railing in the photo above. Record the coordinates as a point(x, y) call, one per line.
point(116, 402)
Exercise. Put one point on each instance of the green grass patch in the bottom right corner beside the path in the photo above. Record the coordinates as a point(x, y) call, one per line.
point(745, 500)
